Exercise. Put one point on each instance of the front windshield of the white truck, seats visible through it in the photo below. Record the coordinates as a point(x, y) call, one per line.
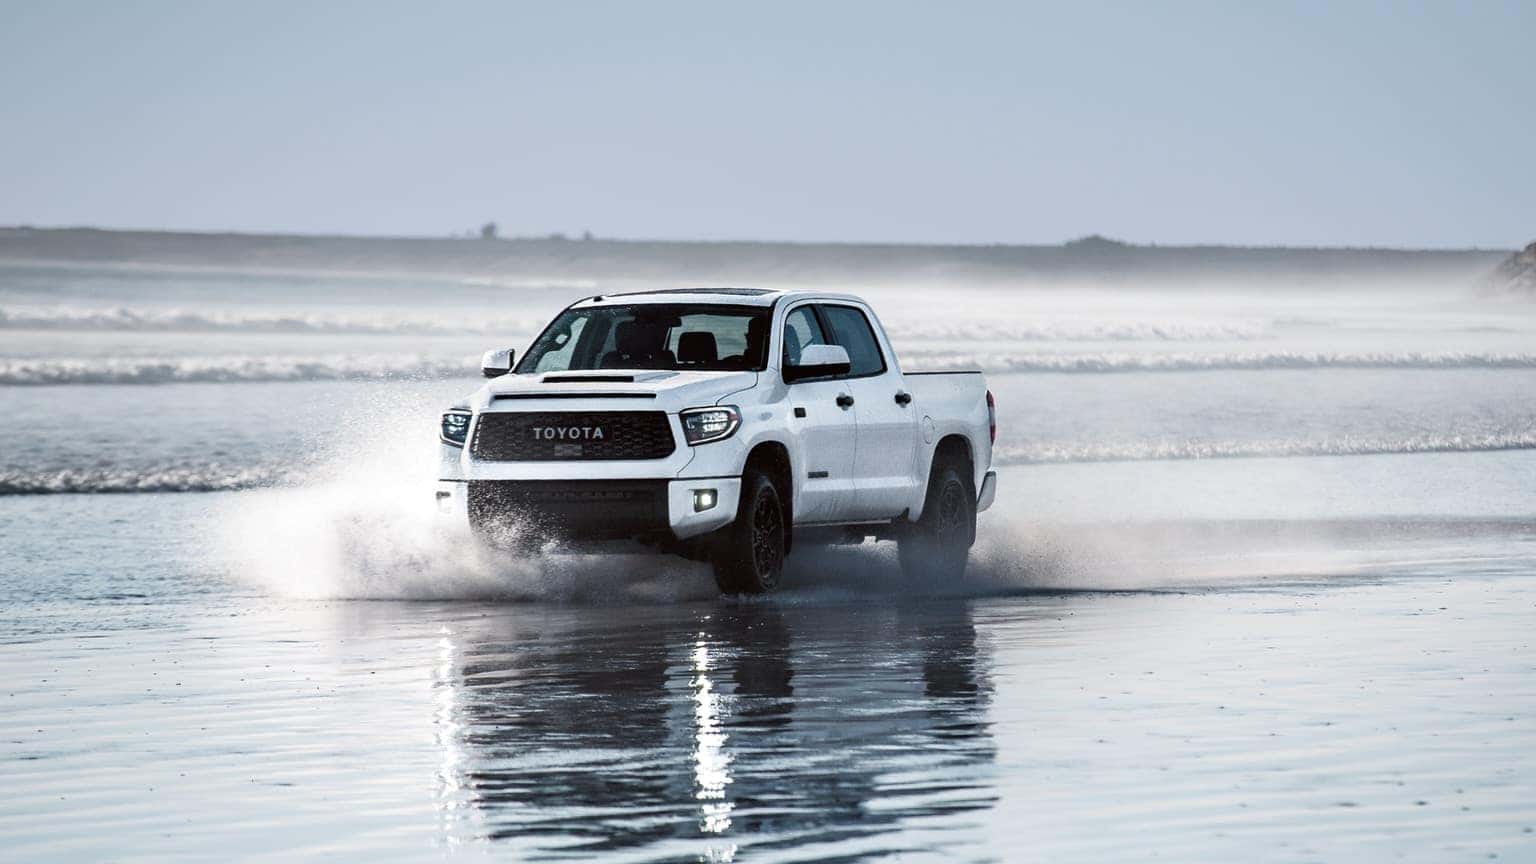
point(652, 336)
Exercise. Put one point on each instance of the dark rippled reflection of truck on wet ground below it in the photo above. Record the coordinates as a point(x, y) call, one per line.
point(661, 736)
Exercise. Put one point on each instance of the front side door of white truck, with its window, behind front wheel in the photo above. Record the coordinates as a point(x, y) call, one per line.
point(823, 419)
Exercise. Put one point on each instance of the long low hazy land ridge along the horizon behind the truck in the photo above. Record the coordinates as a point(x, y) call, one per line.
point(1091, 259)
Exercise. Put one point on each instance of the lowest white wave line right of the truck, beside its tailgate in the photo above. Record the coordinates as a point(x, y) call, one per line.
point(1051, 453)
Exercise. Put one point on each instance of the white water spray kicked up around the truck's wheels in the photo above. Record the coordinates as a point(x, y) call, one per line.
point(366, 527)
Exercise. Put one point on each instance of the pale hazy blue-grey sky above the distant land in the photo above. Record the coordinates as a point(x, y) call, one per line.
point(1276, 124)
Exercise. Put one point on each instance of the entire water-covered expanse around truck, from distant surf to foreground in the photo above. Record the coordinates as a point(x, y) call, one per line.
point(1259, 587)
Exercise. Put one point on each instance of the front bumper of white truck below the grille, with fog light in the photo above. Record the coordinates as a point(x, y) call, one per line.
point(594, 510)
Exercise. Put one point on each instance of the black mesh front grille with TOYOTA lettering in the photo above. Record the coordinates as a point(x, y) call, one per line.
point(572, 436)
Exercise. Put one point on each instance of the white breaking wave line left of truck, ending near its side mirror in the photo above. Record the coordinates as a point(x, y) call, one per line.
point(227, 370)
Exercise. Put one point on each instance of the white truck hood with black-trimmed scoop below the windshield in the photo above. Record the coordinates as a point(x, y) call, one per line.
point(670, 391)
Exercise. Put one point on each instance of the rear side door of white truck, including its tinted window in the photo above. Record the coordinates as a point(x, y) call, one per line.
point(886, 414)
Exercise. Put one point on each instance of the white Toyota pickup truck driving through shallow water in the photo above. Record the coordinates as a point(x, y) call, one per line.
point(723, 425)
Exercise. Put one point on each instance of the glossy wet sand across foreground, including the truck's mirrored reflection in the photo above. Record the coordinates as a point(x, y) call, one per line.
point(1380, 705)
